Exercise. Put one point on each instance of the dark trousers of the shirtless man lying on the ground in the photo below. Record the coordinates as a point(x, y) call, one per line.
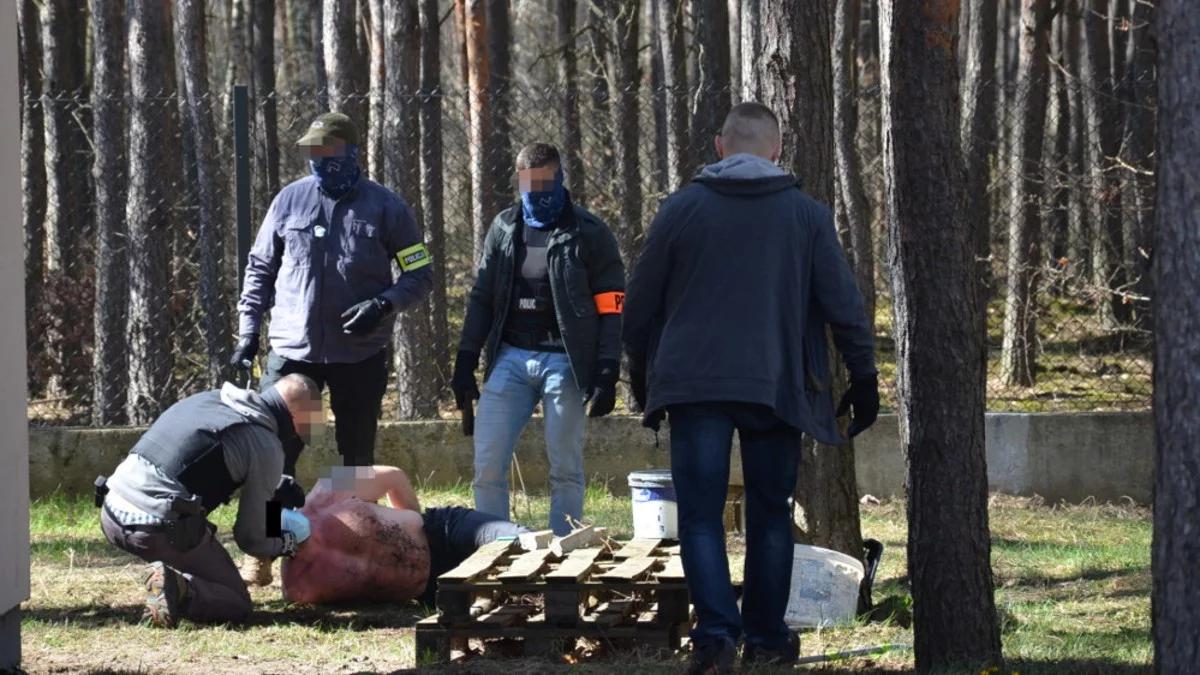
point(457, 533)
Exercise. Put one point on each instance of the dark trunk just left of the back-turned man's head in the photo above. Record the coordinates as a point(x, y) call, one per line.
point(715, 88)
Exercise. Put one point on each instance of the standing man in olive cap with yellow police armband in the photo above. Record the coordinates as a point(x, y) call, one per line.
point(337, 259)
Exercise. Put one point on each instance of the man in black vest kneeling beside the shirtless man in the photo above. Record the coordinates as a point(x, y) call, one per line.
point(191, 461)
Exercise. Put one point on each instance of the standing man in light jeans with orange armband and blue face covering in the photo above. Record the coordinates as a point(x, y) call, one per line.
point(547, 312)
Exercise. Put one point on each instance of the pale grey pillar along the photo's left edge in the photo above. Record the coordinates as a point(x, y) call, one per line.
point(14, 426)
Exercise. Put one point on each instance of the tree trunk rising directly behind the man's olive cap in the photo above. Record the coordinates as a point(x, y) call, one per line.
point(347, 92)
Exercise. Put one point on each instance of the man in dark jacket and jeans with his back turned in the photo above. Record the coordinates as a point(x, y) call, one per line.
point(725, 330)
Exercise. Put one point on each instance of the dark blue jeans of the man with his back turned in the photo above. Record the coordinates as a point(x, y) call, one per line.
point(701, 440)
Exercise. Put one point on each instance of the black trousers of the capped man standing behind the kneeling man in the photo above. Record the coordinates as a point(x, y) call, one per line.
point(356, 393)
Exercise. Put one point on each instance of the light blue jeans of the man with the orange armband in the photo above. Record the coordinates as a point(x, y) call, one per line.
point(518, 383)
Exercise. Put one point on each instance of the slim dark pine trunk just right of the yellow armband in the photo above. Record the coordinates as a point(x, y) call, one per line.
point(433, 187)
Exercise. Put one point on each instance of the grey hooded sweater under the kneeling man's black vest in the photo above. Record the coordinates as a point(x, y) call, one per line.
point(255, 458)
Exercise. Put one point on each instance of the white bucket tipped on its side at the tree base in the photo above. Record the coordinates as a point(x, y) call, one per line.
point(825, 588)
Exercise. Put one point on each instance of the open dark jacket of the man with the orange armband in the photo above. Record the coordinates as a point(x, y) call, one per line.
point(584, 264)
